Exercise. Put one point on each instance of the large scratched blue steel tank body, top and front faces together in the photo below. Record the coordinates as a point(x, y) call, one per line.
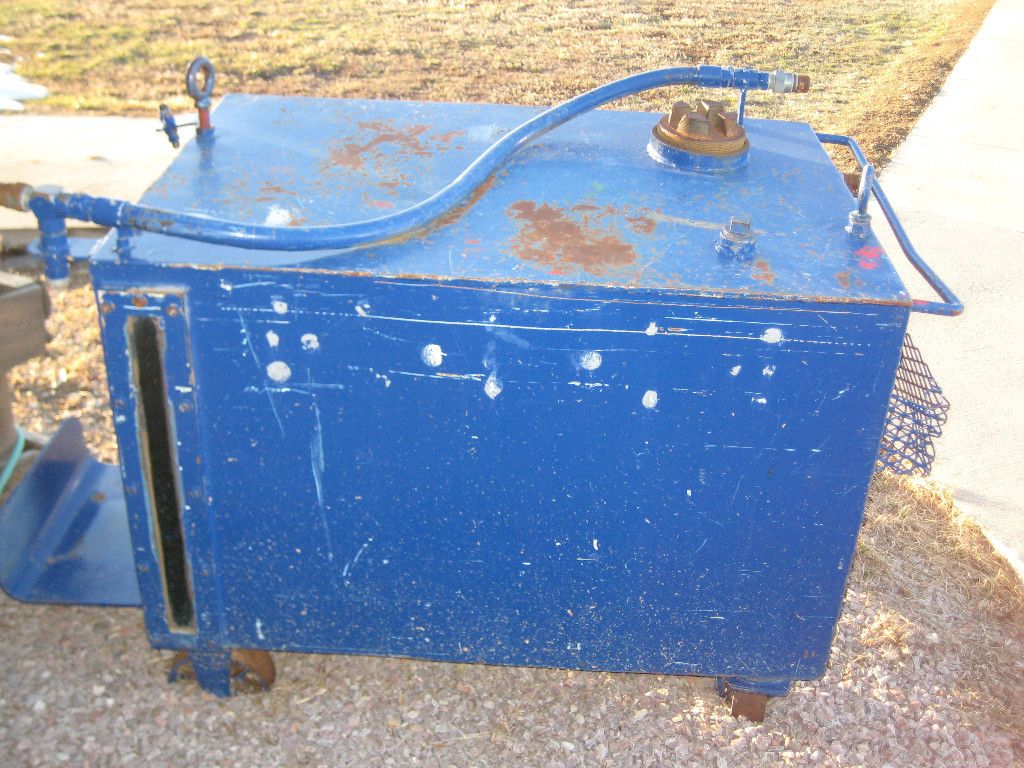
point(560, 431)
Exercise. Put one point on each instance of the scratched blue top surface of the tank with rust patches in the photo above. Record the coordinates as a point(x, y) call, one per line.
point(587, 205)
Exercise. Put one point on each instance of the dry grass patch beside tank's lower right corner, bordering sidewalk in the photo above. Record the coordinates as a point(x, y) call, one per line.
point(933, 573)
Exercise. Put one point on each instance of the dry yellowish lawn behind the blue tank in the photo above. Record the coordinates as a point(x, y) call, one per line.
point(874, 66)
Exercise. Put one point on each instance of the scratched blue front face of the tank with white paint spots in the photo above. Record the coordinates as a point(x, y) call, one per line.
point(510, 505)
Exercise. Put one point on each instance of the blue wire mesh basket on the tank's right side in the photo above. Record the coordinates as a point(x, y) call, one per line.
point(917, 413)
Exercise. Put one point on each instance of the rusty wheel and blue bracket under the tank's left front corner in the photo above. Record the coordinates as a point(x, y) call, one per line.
point(225, 673)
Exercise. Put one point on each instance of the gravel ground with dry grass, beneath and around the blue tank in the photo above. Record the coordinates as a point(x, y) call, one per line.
point(925, 671)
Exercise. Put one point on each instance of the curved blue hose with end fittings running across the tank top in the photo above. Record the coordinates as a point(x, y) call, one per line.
point(127, 218)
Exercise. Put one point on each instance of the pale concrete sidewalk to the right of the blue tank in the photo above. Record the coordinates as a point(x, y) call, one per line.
point(956, 184)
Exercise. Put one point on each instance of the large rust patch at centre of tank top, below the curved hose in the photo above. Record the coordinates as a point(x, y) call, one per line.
point(564, 240)
